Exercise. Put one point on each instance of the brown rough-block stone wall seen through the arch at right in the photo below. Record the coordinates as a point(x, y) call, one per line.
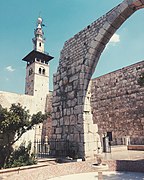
point(117, 103)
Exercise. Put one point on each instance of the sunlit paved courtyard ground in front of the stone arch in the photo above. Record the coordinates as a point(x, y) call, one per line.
point(126, 160)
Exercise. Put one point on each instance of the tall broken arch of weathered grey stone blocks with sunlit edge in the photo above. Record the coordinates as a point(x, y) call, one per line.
point(72, 118)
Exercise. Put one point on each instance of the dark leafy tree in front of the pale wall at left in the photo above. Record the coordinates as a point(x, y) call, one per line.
point(13, 124)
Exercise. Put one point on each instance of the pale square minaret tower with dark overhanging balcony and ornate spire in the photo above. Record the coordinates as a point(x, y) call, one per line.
point(37, 70)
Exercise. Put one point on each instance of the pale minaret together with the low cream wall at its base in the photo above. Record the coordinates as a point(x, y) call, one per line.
point(37, 95)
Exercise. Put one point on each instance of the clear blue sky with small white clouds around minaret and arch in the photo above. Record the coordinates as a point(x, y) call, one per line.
point(63, 19)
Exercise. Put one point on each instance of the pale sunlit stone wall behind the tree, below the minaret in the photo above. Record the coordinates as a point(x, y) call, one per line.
point(33, 104)
